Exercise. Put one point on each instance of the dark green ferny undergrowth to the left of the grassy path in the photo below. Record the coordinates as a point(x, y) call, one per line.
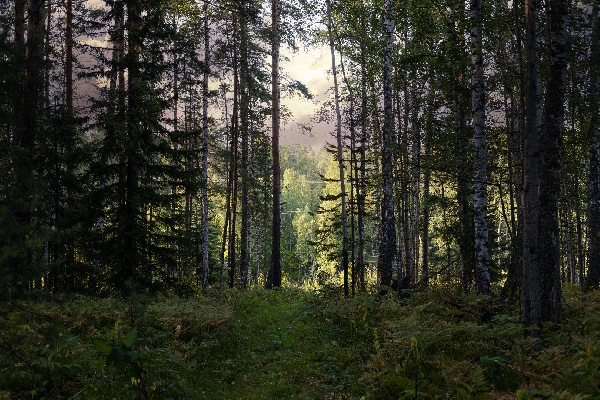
point(58, 347)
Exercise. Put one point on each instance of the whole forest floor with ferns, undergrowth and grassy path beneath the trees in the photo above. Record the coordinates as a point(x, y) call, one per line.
point(294, 344)
